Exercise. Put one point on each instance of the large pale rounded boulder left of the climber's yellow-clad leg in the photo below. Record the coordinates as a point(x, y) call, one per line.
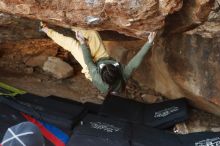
point(58, 68)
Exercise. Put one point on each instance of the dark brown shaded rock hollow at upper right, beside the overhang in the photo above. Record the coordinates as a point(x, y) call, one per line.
point(192, 14)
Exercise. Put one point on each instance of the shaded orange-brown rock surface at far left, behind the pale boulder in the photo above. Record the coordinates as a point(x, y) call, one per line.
point(18, 55)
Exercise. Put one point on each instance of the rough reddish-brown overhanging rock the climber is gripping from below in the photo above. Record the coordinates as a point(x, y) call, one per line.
point(131, 17)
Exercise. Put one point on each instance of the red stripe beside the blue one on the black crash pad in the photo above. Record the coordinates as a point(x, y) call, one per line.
point(44, 131)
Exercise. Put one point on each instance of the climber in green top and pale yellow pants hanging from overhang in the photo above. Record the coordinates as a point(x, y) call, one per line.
point(108, 75)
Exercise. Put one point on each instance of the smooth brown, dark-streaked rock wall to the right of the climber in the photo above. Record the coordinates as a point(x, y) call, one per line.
point(186, 64)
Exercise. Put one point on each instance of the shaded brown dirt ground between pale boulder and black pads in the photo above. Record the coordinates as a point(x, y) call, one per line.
point(76, 88)
